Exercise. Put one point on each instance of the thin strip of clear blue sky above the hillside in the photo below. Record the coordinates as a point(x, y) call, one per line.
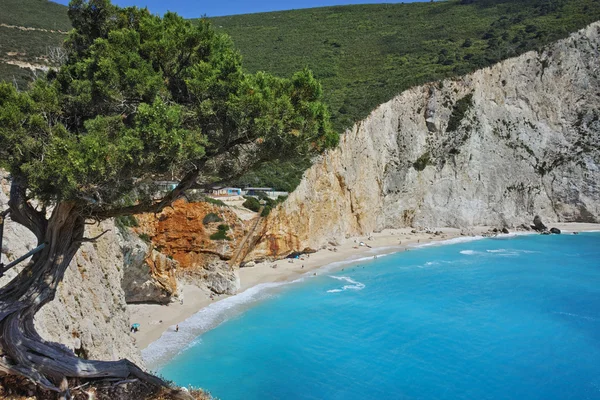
point(213, 8)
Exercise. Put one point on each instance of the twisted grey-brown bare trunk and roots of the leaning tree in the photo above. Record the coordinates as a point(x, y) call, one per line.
point(22, 350)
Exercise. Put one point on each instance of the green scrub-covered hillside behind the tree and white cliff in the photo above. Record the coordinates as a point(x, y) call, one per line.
point(363, 55)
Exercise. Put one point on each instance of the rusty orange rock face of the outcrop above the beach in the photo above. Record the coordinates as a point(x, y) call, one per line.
point(179, 232)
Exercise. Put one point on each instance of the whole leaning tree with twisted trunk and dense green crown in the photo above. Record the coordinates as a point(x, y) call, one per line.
point(139, 97)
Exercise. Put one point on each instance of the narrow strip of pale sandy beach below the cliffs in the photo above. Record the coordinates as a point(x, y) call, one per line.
point(155, 319)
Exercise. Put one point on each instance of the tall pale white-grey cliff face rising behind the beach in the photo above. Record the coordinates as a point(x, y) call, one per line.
point(495, 147)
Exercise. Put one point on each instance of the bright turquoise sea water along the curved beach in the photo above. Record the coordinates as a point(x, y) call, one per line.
point(516, 318)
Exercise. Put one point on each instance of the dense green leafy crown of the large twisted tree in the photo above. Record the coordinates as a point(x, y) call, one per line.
point(143, 96)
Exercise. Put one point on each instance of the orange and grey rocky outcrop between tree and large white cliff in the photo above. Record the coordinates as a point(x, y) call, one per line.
point(179, 248)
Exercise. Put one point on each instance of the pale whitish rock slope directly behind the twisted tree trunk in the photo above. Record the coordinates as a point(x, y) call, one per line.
point(89, 314)
